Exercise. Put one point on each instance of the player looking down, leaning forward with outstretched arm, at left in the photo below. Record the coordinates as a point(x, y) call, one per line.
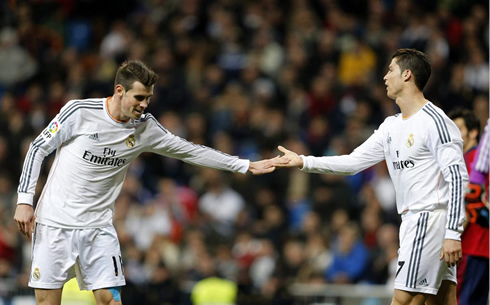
point(96, 140)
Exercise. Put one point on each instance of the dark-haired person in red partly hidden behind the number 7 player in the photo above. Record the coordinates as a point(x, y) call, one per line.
point(475, 236)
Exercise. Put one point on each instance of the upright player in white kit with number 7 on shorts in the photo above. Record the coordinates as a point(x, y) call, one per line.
point(424, 153)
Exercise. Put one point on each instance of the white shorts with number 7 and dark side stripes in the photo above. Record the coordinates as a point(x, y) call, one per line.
point(421, 240)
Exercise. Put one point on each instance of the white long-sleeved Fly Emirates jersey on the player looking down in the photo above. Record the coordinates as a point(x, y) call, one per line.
point(93, 155)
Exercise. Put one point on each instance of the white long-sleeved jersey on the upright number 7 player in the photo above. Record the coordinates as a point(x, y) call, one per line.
point(424, 155)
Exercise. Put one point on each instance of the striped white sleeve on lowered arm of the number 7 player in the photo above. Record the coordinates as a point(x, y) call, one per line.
point(444, 141)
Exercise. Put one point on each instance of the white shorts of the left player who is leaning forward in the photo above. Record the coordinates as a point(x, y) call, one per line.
point(92, 255)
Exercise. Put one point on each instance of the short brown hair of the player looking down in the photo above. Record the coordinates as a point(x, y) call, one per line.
point(131, 71)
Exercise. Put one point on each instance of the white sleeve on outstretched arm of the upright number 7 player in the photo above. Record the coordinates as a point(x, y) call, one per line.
point(366, 155)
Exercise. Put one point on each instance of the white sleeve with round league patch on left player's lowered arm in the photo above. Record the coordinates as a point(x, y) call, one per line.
point(59, 130)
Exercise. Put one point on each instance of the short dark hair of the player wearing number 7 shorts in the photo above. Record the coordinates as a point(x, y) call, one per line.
point(415, 61)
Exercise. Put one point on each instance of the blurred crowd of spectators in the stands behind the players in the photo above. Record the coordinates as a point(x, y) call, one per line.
point(241, 76)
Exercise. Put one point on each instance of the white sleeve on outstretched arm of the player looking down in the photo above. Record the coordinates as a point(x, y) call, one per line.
point(167, 144)
